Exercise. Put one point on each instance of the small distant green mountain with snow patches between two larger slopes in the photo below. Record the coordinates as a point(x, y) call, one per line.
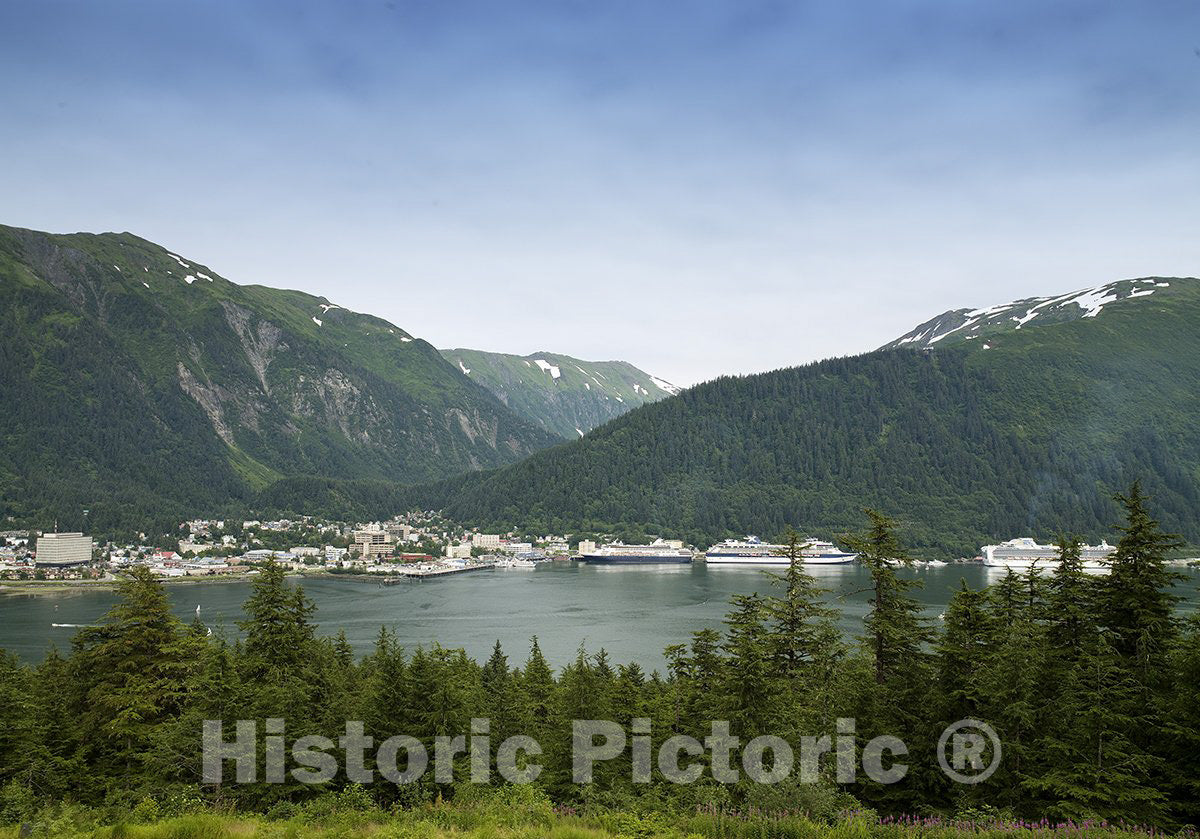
point(563, 395)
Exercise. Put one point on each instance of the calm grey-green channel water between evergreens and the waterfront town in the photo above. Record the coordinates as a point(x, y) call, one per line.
point(633, 613)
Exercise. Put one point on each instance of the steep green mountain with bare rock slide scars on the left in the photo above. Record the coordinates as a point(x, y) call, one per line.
point(137, 382)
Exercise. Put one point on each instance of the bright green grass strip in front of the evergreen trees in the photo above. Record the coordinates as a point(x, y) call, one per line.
point(513, 813)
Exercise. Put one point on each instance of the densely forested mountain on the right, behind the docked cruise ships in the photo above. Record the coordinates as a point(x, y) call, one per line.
point(1013, 433)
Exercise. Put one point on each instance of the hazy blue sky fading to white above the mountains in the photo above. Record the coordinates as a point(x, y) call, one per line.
point(697, 188)
